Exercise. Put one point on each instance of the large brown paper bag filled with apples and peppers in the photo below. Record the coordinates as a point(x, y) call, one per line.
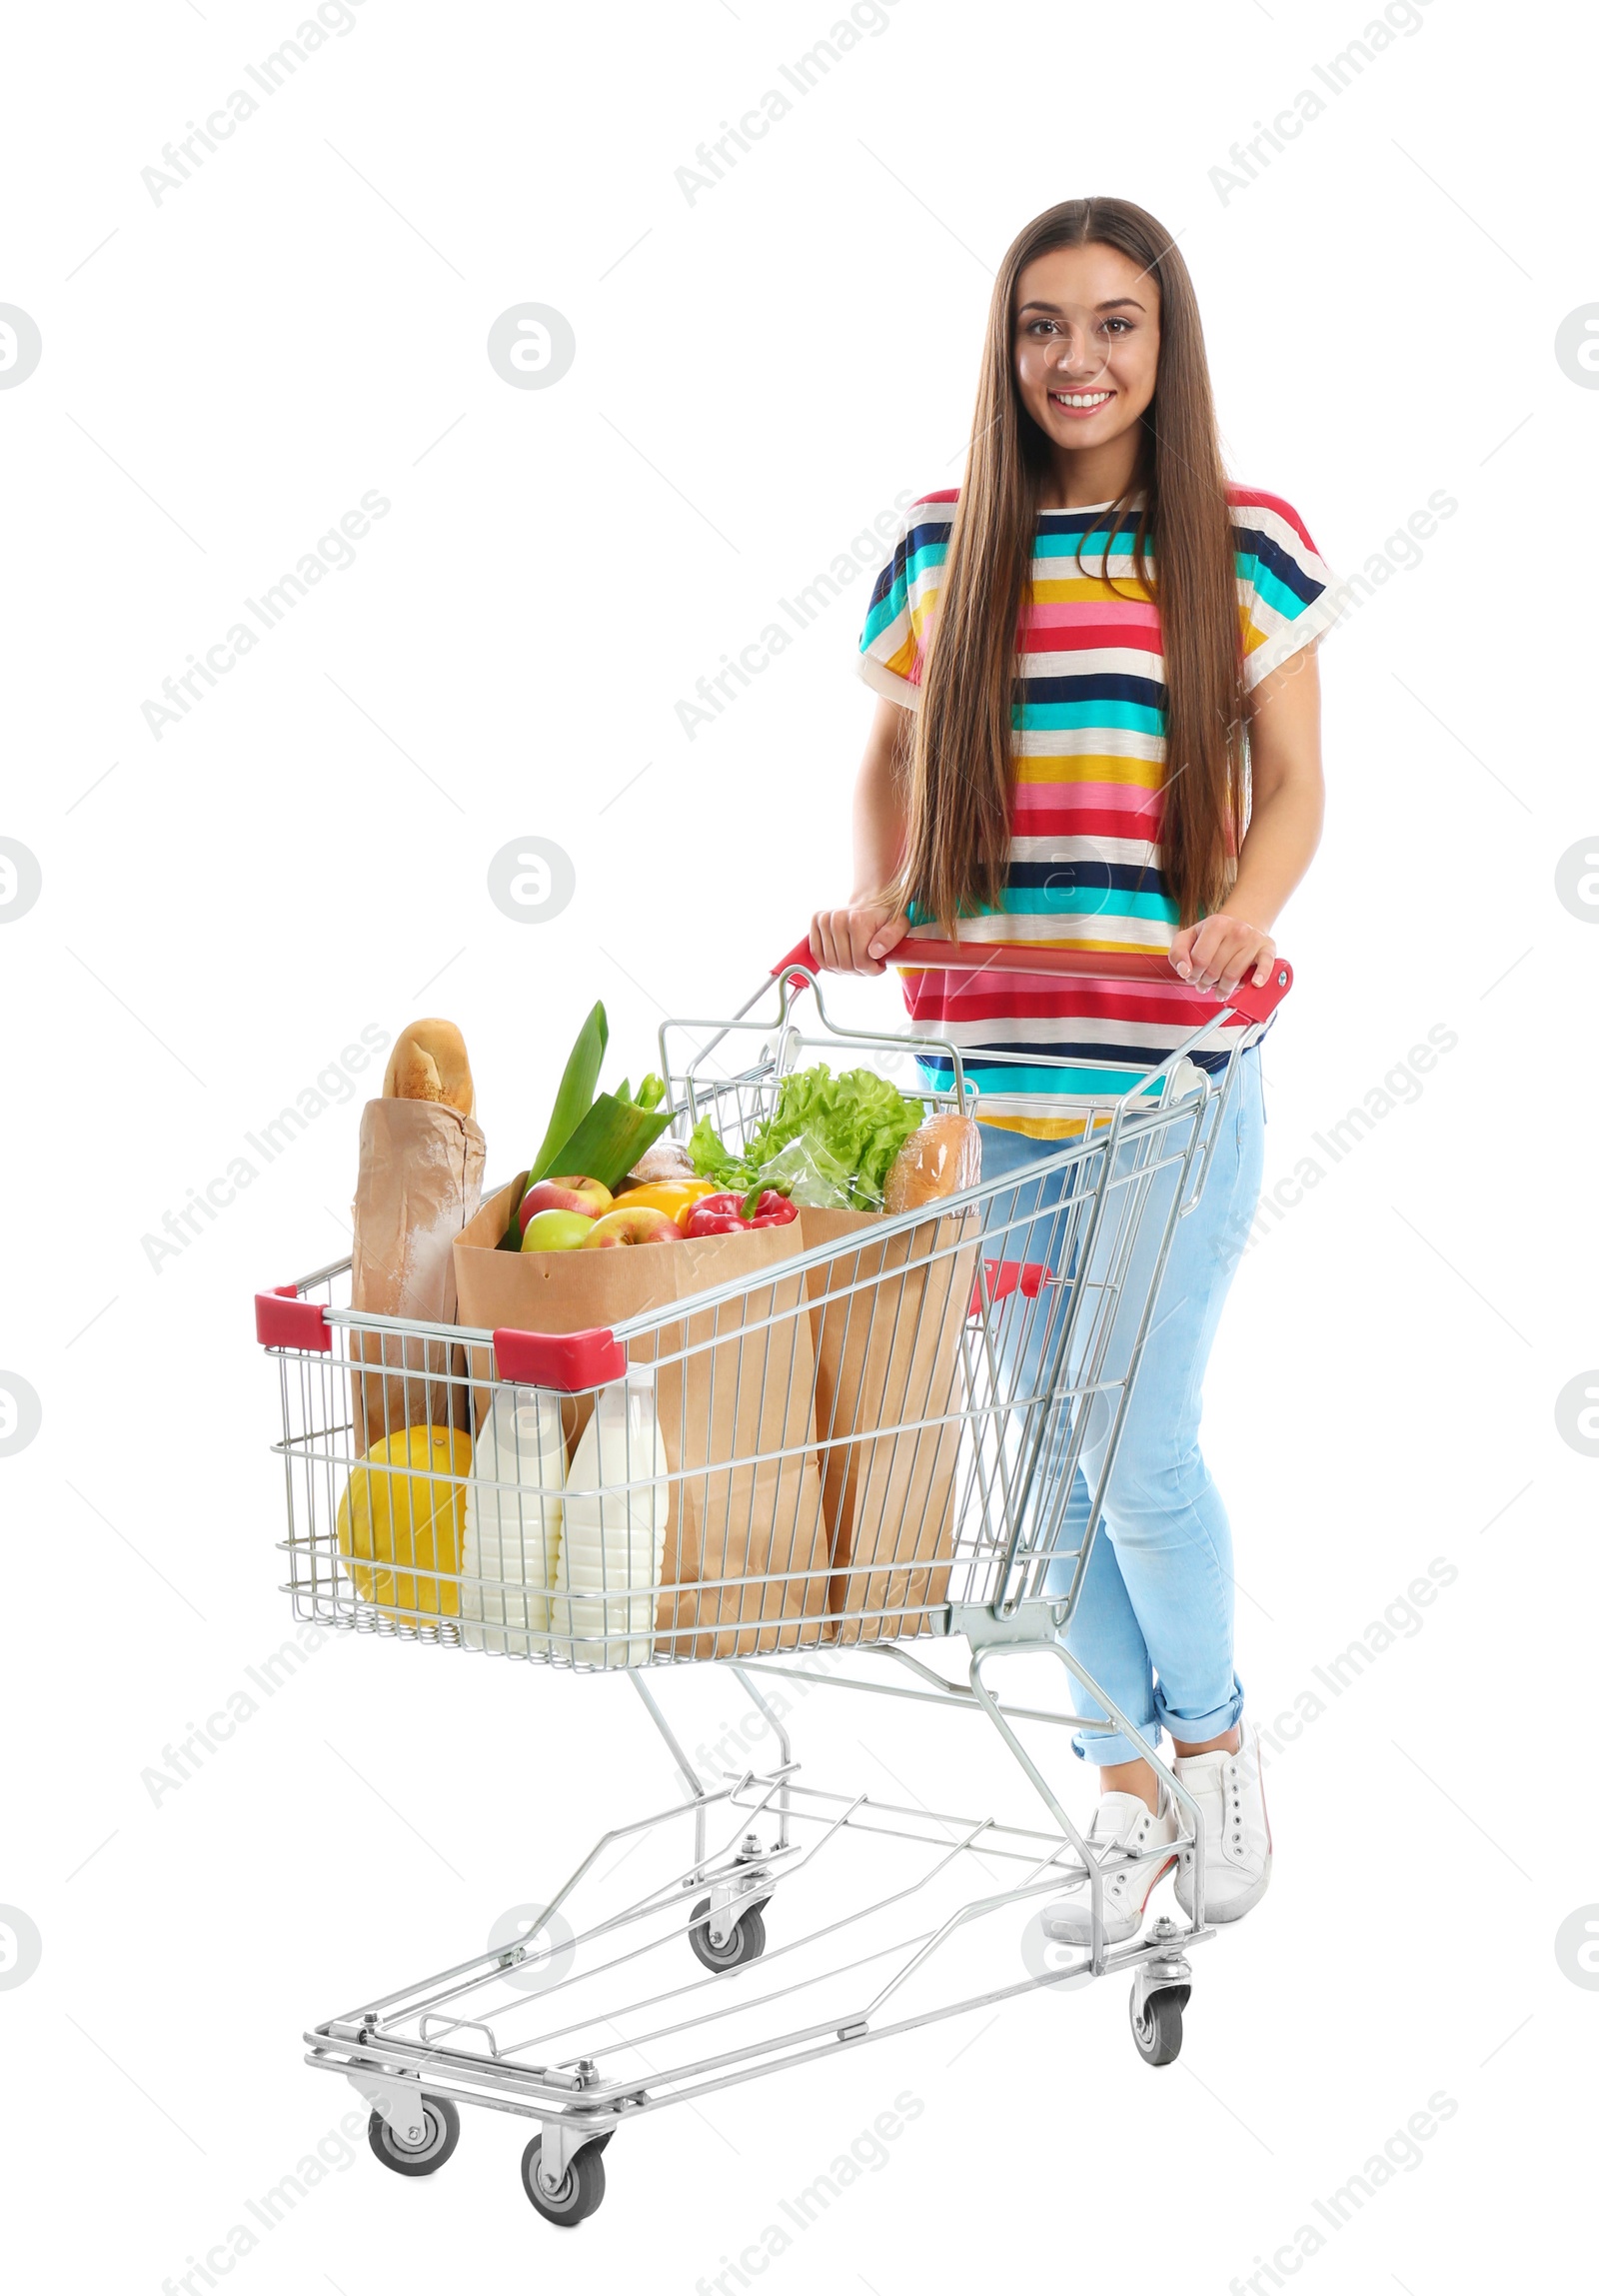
point(733, 1383)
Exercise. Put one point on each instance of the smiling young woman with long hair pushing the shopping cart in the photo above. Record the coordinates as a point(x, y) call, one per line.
point(1100, 731)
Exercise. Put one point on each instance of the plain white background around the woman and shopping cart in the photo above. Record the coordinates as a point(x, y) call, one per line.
point(758, 373)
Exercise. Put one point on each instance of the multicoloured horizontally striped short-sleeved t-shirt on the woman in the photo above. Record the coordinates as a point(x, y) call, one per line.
point(1086, 807)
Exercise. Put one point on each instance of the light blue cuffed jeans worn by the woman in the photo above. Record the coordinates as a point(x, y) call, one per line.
point(1155, 1608)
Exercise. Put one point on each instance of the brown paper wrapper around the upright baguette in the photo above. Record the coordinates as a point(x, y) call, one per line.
point(419, 1184)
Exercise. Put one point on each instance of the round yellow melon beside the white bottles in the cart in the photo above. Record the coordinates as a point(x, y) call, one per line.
point(396, 1514)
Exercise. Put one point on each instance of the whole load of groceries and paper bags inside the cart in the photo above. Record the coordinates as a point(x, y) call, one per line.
point(742, 1473)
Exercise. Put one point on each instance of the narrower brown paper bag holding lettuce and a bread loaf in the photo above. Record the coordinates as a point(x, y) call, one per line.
point(889, 1399)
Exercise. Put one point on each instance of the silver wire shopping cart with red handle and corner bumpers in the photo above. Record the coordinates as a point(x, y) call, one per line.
point(864, 1450)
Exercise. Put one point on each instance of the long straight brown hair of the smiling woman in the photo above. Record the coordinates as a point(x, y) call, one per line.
point(960, 766)
